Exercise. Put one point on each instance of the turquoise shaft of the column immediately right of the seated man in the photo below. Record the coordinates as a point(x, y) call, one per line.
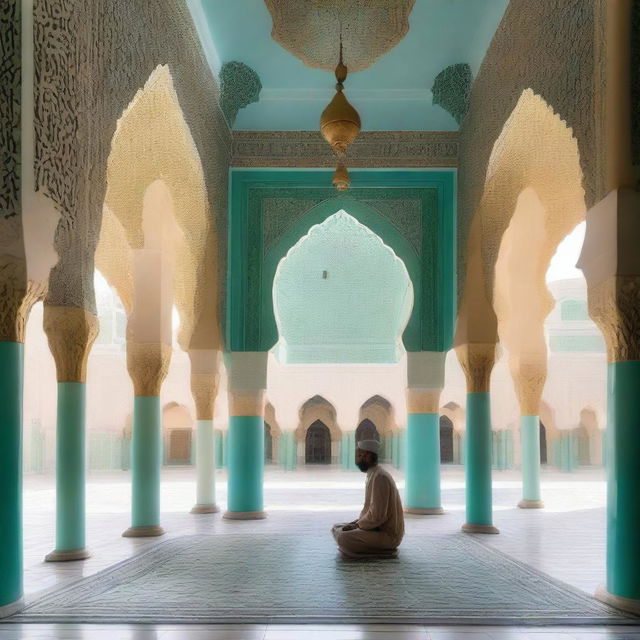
point(422, 488)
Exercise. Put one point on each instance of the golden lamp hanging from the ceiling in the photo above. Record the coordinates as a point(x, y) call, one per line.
point(340, 124)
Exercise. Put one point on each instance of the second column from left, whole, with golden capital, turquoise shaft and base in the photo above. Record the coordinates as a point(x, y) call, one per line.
point(71, 333)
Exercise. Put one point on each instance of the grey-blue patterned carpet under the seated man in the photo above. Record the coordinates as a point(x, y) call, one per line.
point(252, 578)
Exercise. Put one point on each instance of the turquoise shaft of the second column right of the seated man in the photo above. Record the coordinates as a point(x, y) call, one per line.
point(478, 459)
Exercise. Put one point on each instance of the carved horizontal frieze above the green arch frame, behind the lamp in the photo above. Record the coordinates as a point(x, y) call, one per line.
point(384, 149)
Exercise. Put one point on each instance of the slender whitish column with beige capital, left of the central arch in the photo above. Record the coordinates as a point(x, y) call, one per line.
point(204, 386)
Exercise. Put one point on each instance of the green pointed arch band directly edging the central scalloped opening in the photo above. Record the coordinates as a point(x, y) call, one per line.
point(367, 216)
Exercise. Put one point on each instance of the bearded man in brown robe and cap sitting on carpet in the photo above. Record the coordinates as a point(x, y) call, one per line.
point(380, 527)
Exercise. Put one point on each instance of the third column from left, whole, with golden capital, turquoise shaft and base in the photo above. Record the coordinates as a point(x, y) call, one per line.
point(148, 364)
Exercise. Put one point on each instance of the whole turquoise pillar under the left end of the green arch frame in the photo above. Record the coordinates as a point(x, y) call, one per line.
point(247, 383)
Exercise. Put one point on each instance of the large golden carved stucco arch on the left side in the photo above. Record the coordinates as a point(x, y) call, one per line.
point(152, 143)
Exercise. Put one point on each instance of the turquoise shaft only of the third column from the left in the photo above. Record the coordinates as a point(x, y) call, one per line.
point(146, 460)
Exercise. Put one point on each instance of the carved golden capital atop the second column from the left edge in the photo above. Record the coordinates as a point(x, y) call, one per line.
point(71, 332)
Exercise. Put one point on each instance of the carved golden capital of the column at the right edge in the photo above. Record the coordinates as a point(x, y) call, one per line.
point(614, 305)
